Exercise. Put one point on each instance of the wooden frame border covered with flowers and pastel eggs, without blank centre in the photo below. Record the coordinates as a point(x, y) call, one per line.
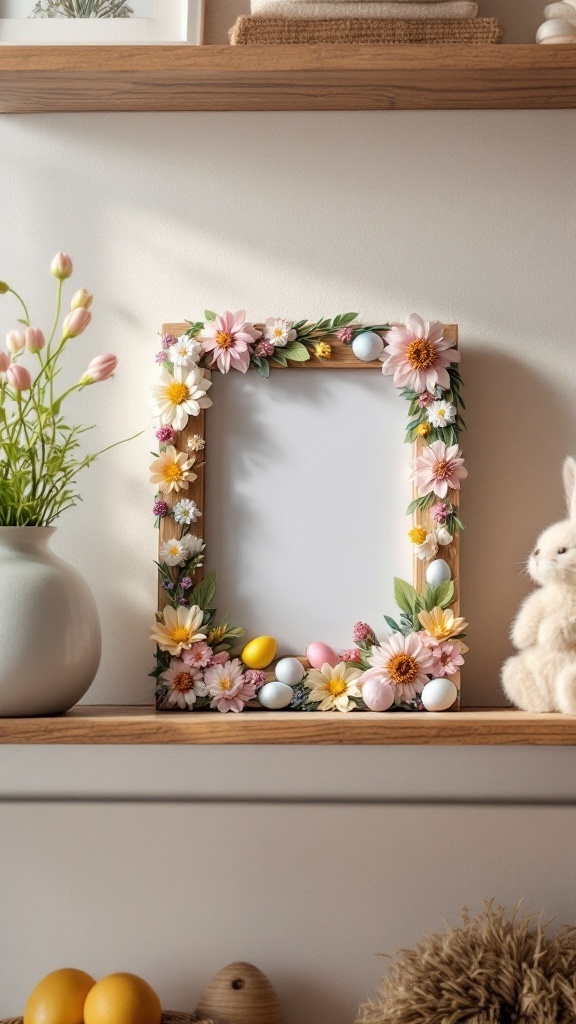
point(204, 664)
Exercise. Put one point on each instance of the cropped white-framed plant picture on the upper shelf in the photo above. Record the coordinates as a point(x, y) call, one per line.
point(144, 23)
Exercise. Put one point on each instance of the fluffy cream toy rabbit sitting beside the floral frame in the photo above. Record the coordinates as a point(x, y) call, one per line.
point(543, 676)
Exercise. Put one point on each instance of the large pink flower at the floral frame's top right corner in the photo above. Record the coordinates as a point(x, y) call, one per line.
point(418, 355)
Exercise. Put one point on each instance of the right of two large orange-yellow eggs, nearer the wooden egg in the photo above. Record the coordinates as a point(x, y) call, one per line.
point(122, 999)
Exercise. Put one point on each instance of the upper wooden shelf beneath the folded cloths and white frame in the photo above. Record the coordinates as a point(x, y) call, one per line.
point(49, 79)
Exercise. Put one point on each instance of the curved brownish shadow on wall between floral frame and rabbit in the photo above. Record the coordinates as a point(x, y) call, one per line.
point(514, 491)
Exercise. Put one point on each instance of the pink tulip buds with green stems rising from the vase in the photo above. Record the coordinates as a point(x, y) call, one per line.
point(40, 455)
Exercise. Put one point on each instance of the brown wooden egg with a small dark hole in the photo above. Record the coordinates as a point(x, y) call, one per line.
point(240, 995)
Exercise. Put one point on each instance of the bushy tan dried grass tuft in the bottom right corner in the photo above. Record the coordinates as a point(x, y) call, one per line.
point(496, 969)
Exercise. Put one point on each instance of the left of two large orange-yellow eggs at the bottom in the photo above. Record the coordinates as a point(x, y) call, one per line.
point(59, 999)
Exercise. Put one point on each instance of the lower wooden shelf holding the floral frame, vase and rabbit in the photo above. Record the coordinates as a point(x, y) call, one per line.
point(142, 726)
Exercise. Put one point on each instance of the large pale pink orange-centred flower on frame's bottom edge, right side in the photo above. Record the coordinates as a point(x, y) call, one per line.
point(402, 662)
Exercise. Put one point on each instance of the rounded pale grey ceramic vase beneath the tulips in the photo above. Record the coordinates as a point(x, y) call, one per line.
point(51, 641)
